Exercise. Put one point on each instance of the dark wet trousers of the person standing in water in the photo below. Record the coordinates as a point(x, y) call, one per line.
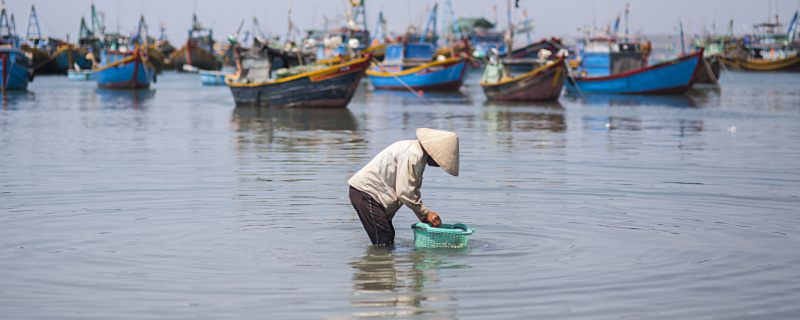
point(378, 226)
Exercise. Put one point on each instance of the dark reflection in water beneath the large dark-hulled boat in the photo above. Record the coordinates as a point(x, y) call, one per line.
point(293, 126)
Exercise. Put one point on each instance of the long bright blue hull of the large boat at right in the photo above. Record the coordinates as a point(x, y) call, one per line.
point(670, 77)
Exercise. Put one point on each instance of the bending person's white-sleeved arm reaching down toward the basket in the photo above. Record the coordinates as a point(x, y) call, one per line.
point(409, 180)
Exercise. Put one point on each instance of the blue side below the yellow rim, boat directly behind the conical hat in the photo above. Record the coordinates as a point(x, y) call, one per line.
point(446, 78)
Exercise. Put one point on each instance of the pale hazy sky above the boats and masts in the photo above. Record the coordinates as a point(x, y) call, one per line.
point(551, 18)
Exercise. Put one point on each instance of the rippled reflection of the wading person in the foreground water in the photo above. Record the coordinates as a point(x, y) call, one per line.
point(392, 284)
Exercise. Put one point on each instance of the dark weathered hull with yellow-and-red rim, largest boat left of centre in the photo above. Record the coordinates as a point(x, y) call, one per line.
point(329, 88)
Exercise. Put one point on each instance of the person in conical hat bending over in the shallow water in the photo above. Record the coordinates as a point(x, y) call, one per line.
point(393, 178)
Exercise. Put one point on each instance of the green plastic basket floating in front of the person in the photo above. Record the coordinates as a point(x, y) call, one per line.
point(445, 236)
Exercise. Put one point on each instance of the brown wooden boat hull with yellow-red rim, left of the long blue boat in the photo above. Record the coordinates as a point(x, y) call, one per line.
point(542, 84)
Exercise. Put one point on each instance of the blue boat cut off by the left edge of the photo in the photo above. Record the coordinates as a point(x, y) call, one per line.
point(15, 65)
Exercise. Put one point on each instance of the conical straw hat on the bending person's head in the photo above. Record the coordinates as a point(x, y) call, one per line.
point(442, 146)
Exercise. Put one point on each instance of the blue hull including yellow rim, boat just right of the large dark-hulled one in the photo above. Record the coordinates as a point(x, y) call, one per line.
point(430, 77)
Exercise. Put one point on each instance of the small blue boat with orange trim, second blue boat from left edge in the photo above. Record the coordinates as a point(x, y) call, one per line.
point(124, 70)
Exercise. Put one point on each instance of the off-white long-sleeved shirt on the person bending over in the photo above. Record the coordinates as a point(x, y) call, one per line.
point(394, 177)
